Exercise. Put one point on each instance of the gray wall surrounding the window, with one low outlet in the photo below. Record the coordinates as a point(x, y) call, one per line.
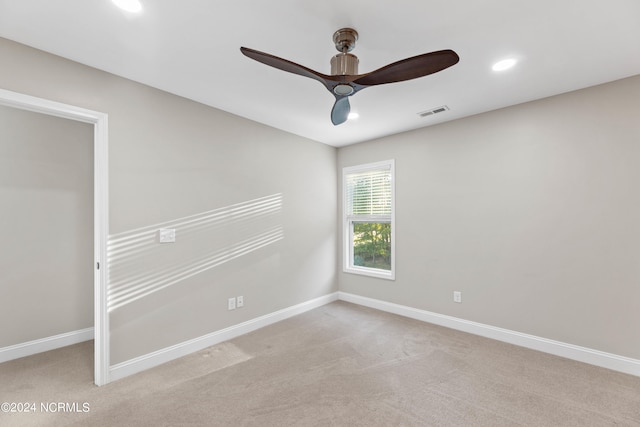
point(531, 211)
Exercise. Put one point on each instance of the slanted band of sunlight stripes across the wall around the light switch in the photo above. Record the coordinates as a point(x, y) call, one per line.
point(139, 265)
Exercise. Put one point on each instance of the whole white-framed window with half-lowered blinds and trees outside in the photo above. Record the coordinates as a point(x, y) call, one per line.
point(369, 219)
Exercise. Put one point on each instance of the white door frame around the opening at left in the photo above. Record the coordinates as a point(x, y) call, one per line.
point(101, 211)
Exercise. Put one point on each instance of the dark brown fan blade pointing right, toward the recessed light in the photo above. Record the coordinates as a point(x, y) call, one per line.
point(410, 68)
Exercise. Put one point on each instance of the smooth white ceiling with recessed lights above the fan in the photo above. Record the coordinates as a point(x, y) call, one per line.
point(191, 48)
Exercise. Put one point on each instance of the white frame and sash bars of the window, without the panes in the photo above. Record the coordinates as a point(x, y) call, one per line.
point(349, 220)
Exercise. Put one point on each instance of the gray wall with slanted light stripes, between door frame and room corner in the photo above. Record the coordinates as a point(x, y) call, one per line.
point(170, 158)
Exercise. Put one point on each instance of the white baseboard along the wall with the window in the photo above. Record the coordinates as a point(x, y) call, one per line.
point(569, 351)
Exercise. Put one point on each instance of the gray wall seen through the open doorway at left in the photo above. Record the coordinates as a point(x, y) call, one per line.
point(46, 230)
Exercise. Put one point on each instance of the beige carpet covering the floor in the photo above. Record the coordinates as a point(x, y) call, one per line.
point(338, 365)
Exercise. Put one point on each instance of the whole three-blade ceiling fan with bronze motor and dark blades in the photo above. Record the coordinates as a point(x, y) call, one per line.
point(345, 81)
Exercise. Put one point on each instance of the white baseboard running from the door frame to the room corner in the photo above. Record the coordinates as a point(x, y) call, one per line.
point(164, 355)
